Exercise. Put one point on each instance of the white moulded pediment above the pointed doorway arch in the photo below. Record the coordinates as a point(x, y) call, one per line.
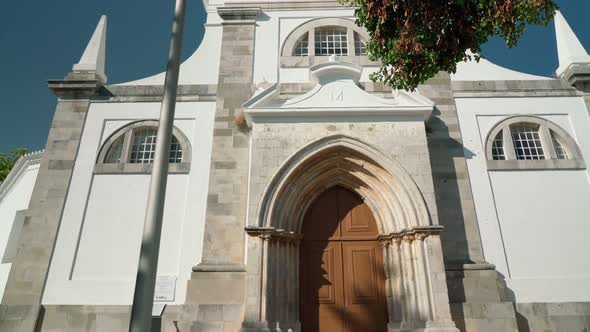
point(337, 93)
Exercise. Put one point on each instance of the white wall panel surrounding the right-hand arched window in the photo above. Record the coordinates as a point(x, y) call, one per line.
point(534, 225)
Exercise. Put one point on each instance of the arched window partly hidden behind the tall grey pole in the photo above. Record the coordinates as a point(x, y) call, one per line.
point(135, 144)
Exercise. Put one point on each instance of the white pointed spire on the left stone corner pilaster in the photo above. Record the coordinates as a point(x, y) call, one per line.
point(93, 59)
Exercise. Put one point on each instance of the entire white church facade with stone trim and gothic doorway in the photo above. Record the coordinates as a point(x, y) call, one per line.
point(304, 197)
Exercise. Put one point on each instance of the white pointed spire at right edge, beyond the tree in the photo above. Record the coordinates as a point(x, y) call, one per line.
point(569, 48)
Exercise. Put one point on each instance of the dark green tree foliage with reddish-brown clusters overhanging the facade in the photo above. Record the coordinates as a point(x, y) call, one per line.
point(415, 39)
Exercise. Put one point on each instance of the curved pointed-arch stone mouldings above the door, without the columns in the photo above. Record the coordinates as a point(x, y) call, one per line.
point(406, 208)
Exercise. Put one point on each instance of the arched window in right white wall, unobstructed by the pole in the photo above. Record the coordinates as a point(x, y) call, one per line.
point(527, 142)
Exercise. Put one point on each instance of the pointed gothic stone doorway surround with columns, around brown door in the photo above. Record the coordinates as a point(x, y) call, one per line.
point(412, 261)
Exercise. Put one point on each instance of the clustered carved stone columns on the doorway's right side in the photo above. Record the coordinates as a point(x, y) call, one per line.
point(417, 294)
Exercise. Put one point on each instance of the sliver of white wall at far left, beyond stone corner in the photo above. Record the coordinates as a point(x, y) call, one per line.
point(16, 198)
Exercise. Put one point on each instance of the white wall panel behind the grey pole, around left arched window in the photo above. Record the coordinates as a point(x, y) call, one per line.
point(97, 251)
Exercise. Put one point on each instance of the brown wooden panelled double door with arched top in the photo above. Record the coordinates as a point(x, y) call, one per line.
point(342, 280)
